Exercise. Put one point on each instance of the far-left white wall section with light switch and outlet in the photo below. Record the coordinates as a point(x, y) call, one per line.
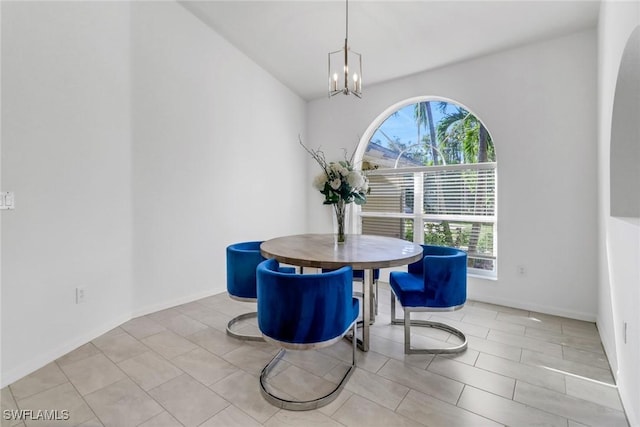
point(66, 153)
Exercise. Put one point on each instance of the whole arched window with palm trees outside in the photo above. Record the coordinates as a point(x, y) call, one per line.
point(432, 167)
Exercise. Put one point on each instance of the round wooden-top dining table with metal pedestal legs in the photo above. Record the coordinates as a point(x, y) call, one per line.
point(360, 251)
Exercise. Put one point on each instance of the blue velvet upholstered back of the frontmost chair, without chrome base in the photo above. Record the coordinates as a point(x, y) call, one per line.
point(305, 308)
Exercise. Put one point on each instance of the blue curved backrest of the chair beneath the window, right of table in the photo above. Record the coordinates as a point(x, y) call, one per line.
point(444, 274)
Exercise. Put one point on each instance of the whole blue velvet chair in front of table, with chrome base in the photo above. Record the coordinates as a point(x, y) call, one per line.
point(305, 312)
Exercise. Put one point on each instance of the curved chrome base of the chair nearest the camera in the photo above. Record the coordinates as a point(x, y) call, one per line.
point(305, 405)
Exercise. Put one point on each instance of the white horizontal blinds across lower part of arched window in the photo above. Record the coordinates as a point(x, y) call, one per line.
point(455, 205)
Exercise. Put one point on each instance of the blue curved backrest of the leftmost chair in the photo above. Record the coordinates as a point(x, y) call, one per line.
point(242, 261)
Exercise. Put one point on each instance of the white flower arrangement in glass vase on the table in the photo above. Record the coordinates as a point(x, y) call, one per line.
point(340, 184)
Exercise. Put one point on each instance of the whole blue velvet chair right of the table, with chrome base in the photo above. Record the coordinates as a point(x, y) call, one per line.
point(436, 283)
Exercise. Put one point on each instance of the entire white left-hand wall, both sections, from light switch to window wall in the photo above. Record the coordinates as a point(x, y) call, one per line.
point(139, 145)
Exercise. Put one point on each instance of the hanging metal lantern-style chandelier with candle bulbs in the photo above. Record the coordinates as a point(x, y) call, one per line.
point(341, 78)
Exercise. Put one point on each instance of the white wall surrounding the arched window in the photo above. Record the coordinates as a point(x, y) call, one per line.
point(539, 104)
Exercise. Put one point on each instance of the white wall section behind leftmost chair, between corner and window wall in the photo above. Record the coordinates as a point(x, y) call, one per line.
point(214, 155)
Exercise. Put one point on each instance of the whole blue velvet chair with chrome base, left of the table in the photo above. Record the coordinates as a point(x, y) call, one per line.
point(242, 260)
